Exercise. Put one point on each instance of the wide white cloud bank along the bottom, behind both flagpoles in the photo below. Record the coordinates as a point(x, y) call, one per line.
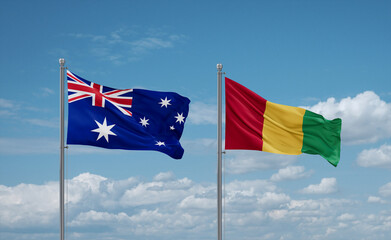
point(180, 209)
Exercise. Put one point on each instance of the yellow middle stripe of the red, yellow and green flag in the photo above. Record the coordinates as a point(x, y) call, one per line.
point(282, 130)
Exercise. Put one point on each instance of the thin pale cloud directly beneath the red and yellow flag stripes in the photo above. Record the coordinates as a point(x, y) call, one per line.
point(239, 162)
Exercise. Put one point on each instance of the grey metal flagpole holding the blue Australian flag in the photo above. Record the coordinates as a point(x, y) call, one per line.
point(62, 222)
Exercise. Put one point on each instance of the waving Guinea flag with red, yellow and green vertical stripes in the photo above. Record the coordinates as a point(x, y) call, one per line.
point(253, 123)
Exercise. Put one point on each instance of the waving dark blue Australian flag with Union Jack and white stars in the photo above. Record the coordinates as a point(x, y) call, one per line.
point(132, 119)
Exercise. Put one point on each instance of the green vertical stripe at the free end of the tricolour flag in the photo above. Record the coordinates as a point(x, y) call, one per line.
point(322, 136)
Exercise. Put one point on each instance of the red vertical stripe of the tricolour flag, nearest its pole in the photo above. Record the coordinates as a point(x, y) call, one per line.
point(244, 117)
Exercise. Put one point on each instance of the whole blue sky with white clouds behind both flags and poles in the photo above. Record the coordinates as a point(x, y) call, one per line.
point(332, 57)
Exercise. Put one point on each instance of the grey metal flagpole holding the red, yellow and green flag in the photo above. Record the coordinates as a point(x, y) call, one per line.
point(219, 151)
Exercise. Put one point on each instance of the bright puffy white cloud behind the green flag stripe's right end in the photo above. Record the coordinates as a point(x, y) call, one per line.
point(365, 109)
